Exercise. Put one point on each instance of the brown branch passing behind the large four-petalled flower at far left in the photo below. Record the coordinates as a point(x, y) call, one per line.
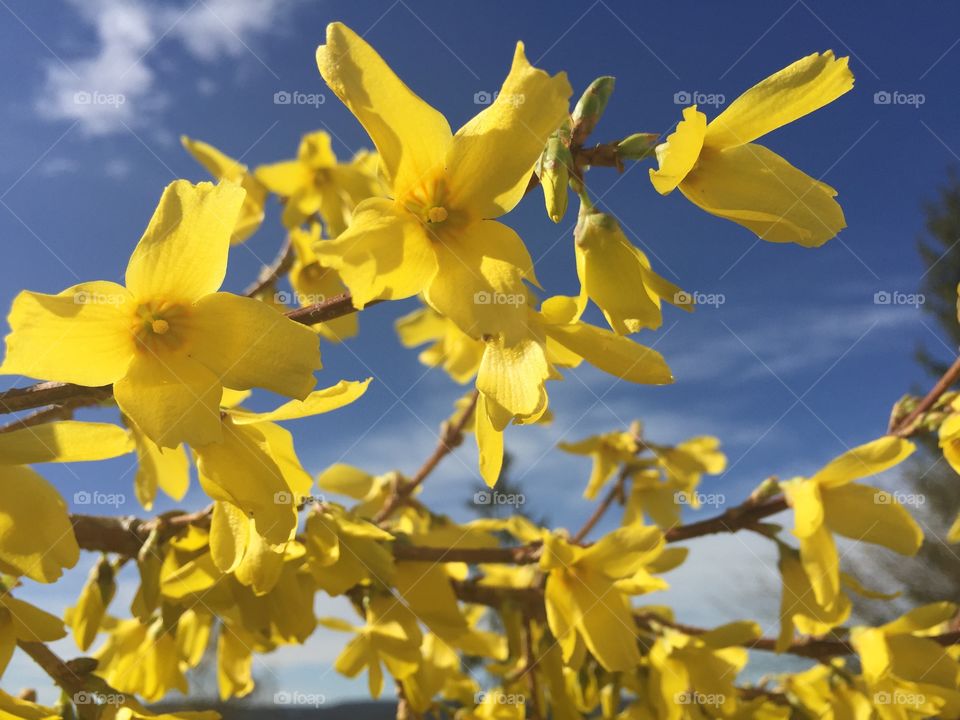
point(56, 393)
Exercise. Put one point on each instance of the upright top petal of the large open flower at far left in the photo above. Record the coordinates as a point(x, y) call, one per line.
point(182, 255)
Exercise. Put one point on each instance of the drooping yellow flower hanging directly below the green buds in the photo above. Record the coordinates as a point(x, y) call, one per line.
point(617, 276)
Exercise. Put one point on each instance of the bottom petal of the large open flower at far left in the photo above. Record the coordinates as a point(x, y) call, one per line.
point(172, 399)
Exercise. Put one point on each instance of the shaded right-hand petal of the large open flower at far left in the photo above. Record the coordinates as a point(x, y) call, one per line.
point(248, 344)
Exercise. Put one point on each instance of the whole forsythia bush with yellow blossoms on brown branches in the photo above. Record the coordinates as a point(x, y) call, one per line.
point(552, 617)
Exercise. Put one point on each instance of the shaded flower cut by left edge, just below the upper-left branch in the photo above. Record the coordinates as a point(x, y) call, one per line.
point(36, 537)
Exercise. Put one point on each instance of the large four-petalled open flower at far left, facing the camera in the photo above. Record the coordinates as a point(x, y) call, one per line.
point(168, 341)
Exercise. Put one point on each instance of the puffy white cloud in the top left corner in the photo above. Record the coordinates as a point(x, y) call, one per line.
point(116, 85)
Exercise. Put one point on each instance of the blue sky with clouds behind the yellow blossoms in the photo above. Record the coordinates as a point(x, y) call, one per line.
point(798, 363)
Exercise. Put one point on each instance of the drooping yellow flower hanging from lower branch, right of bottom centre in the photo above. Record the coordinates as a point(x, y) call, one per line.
point(583, 600)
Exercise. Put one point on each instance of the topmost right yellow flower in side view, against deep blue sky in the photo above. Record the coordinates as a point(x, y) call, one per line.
point(719, 168)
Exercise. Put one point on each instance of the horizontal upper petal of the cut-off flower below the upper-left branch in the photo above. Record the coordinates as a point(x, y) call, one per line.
point(64, 441)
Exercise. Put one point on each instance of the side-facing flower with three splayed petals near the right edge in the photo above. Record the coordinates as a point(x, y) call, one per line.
point(831, 501)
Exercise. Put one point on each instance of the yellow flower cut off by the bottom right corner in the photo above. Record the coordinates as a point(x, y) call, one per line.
point(908, 674)
